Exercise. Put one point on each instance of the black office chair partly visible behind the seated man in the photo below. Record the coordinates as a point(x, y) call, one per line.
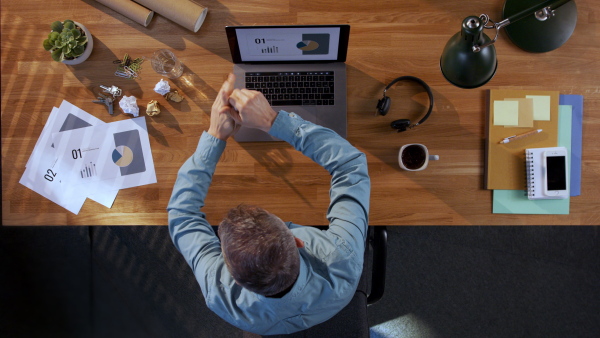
point(352, 320)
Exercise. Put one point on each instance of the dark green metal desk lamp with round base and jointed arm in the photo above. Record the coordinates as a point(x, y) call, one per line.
point(469, 58)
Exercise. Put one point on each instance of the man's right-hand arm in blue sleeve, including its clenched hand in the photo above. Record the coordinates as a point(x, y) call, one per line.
point(350, 183)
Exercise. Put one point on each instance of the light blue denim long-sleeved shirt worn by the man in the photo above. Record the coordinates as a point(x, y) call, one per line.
point(330, 262)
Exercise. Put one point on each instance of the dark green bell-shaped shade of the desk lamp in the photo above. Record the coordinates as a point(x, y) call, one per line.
point(462, 66)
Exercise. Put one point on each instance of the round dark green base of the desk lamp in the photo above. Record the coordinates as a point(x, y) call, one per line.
point(538, 36)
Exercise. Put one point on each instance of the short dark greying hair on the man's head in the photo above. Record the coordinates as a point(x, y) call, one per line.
point(259, 250)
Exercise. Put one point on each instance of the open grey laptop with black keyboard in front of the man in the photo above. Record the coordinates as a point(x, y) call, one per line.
point(299, 69)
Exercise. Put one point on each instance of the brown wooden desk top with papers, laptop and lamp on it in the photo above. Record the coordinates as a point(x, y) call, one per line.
point(388, 39)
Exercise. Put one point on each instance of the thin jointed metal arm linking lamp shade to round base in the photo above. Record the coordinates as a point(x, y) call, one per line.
point(542, 12)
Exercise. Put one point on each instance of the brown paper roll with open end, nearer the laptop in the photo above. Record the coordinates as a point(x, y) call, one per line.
point(183, 12)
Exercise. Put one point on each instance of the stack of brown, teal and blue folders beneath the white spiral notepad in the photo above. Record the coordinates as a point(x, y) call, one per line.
point(514, 112)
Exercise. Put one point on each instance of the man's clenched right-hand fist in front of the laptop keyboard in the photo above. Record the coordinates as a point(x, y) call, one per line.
point(251, 109)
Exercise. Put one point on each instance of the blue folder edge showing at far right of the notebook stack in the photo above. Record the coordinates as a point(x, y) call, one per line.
point(575, 101)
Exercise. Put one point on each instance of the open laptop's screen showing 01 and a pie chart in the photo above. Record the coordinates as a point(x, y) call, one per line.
point(271, 44)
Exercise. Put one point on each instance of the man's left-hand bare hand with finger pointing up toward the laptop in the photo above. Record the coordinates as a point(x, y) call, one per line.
point(221, 124)
